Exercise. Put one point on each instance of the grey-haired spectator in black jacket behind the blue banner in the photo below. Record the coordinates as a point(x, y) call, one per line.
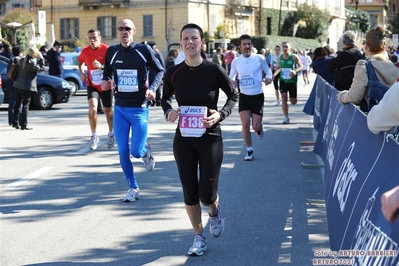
point(345, 62)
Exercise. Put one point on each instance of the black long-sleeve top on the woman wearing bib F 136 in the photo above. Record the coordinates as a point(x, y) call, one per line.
point(199, 86)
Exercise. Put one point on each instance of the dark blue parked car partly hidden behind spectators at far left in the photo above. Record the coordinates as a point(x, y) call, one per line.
point(51, 90)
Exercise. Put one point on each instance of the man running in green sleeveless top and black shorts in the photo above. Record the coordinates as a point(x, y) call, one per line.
point(289, 65)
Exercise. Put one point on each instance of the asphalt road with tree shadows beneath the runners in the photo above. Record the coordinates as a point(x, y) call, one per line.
point(61, 203)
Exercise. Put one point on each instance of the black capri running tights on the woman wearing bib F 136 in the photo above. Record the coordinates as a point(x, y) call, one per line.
point(205, 152)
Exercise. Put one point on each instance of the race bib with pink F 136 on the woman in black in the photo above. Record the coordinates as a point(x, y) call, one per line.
point(190, 121)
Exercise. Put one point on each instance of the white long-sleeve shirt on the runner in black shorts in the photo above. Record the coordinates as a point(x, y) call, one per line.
point(249, 72)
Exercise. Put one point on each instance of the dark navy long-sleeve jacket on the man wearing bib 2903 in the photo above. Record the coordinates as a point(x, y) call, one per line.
point(140, 57)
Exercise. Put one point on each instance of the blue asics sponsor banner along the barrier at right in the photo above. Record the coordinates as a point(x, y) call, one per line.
point(359, 167)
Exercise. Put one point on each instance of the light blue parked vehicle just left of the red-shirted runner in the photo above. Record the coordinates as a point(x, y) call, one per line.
point(71, 71)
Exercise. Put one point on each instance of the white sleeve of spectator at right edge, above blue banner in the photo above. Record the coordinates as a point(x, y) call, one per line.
point(385, 115)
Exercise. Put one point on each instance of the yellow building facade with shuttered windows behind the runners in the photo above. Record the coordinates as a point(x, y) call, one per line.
point(162, 20)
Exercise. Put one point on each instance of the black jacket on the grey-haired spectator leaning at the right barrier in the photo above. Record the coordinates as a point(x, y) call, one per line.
point(344, 66)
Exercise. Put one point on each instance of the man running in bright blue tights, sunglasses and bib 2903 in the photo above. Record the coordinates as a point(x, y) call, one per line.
point(124, 62)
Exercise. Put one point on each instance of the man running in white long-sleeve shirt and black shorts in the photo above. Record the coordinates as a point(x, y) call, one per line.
point(248, 69)
